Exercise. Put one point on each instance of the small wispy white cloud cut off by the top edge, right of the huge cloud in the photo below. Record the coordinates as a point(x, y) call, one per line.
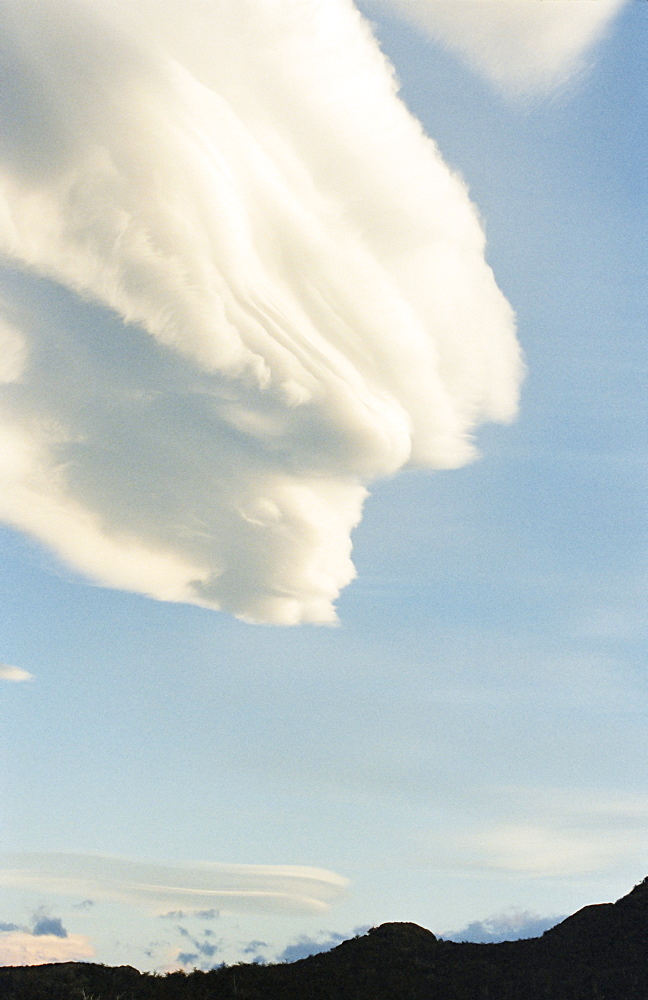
point(520, 45)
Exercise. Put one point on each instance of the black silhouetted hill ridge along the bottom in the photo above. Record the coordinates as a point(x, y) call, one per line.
point(599, 953)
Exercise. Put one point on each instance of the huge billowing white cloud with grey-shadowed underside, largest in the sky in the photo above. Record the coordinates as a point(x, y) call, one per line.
point(238, 284)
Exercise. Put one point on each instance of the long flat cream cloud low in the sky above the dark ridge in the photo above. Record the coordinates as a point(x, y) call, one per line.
point(264, 888)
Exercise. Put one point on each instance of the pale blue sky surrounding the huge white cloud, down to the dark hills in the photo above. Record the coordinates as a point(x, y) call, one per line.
point(468, 742)
